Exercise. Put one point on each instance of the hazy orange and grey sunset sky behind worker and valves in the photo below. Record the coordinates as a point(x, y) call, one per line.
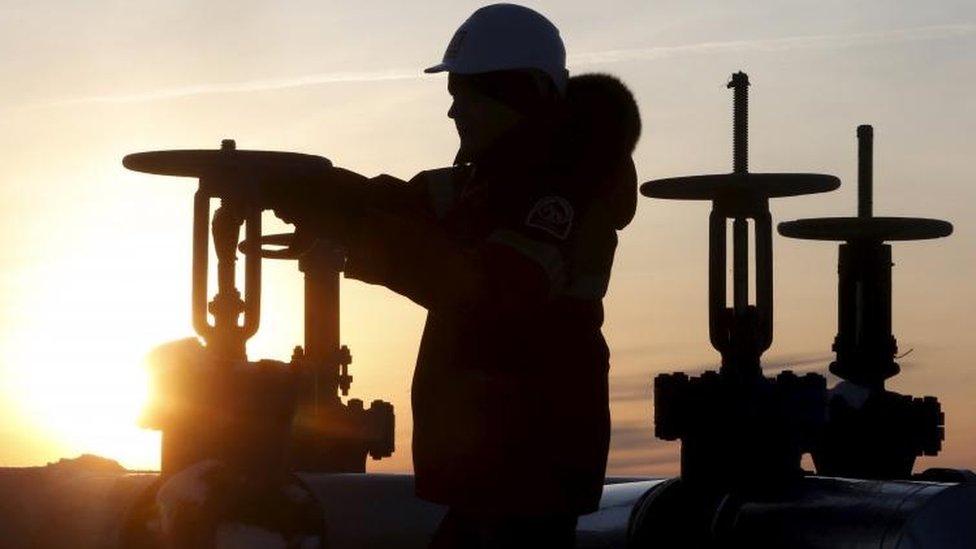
point(94, 270)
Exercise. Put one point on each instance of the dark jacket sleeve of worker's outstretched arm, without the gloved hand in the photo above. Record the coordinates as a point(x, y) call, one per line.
point(517, 268)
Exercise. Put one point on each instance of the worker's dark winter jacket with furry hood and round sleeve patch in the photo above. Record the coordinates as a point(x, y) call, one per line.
point(511, 257)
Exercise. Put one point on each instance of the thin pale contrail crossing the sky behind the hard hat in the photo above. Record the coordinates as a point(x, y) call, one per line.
point(578, 60)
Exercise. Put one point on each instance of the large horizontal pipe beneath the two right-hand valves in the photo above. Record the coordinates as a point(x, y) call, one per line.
point(811, 513)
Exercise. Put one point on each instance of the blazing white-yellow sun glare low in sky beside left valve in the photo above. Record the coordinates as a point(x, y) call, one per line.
point(78, 361)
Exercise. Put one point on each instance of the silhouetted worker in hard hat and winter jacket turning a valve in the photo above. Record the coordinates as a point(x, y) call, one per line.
point(510, 252)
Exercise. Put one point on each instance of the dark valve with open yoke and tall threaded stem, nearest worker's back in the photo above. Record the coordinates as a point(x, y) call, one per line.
point(737, 426)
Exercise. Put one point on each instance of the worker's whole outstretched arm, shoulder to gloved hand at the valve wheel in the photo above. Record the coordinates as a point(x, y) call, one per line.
point(394, 238)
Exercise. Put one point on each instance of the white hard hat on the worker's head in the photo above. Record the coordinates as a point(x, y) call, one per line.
point(506, 37)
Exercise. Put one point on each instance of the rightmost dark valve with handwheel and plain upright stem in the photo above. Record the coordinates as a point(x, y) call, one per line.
point(872, 433)
